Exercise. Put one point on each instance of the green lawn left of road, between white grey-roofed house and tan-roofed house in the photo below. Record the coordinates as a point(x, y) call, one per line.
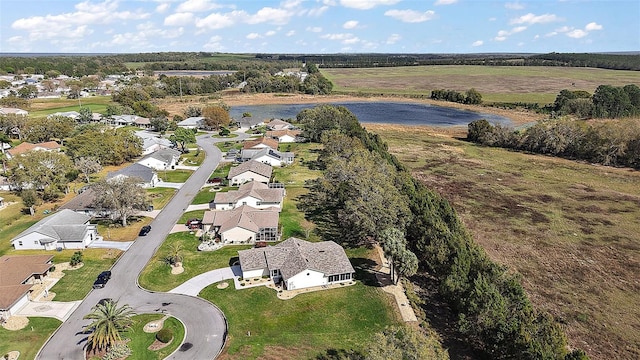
point(76, 284)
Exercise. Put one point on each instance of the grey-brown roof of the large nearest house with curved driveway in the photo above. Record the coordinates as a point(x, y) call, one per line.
point(294, 255)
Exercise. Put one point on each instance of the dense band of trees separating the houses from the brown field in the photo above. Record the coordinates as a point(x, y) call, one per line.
point(365, 196)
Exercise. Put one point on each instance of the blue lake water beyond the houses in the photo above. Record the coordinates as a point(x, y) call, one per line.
point(378, 112)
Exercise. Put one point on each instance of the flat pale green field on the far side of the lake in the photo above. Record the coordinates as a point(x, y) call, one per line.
point(495, 83)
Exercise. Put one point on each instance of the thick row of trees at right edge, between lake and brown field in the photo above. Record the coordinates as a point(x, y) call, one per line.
point(614, 143)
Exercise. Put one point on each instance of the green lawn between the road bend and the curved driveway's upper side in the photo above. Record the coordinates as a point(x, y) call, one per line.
point(157, 276)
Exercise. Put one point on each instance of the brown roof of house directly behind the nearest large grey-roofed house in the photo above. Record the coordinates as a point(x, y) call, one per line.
point(244, 216)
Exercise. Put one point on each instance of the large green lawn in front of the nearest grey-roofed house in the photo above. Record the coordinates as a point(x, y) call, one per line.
point(305, 326)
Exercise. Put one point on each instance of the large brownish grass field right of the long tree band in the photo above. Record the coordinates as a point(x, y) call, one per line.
point(571, 229)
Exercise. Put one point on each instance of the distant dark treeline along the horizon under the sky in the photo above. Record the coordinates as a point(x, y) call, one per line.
point(81, 65)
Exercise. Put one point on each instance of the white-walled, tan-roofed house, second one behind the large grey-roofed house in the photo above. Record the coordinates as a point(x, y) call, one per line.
point(255, 194)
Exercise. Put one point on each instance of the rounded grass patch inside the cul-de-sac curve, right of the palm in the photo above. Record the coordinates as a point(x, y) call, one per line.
point(140, 340)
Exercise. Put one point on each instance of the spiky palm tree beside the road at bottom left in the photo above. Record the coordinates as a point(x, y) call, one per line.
point(109, 321)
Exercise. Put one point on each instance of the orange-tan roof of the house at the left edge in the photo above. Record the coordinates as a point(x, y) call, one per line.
point(14, 271)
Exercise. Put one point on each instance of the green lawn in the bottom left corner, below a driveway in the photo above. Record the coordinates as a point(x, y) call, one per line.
point(29, 340)
